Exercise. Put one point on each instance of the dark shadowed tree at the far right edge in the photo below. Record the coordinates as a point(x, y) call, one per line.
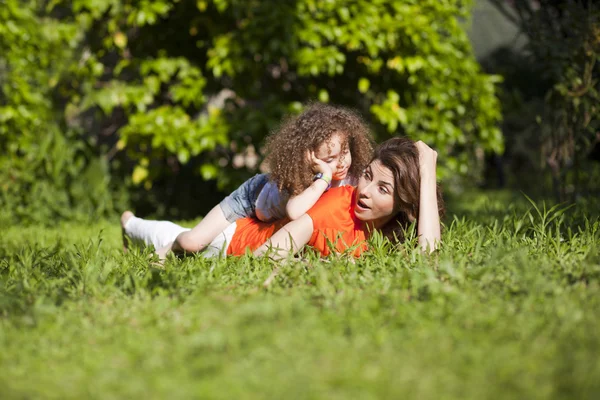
point(564, 45)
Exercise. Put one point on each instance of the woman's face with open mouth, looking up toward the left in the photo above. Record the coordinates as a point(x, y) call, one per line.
point(374, 201)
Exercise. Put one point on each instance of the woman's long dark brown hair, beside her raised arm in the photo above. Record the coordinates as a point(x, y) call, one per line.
point(401, 157)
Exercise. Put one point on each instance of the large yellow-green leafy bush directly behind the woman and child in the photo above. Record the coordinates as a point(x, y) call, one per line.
point(408, 65)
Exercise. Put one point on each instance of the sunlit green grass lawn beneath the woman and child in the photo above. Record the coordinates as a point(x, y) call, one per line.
point(507, 309)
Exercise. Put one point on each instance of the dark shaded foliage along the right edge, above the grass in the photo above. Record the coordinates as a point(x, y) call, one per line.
point(553, 98)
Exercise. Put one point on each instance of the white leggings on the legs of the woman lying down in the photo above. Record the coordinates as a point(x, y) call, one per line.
point(162, 233)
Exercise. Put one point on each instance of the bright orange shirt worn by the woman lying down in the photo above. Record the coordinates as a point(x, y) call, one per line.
point(334, 226)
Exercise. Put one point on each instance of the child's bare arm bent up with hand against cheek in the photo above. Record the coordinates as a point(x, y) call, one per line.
point(298, 205)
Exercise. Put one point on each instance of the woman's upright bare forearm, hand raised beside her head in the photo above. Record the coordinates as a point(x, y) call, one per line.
point(429, 218)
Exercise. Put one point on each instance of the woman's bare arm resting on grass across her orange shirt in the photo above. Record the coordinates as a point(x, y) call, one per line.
point(289, 239)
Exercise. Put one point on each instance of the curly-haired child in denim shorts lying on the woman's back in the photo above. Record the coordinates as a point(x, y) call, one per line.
point(325, 146)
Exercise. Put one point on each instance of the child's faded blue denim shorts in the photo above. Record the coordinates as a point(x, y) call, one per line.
point(241, 203)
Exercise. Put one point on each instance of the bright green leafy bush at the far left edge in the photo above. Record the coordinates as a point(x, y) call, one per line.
point(47, 171)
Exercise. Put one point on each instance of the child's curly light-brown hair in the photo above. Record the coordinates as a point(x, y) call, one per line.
point(286, 148)
